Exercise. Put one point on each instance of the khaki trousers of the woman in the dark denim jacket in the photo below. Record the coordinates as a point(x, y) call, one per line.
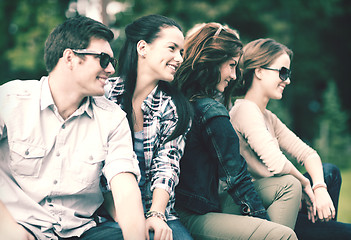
point(281, 197)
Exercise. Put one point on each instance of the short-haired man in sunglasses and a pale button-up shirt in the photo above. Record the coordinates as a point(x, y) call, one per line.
point(58, 136)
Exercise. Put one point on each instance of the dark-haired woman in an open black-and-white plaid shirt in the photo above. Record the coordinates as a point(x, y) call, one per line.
point(158, 115)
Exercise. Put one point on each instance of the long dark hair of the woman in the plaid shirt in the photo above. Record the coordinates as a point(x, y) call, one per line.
point(147, 28)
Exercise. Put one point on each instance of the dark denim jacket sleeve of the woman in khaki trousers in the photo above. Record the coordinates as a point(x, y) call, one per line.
point(223, 144)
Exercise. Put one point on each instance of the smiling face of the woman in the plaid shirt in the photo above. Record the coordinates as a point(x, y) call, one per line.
point(164, 55)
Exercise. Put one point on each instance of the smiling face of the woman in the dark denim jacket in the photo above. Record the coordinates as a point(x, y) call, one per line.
point(228, 73)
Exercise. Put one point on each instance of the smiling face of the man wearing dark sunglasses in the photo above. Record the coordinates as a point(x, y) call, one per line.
point(90, 76)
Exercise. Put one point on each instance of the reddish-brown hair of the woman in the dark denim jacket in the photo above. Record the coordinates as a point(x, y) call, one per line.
point(205, 50)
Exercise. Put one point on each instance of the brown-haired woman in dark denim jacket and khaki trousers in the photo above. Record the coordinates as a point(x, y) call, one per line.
point(211, 157)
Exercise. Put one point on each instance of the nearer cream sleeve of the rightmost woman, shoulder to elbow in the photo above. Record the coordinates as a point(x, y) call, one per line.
point(249, 121)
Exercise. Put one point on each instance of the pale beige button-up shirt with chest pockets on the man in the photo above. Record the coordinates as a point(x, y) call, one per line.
point(50, 167)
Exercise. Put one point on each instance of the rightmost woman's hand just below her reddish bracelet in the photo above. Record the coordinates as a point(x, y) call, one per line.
point(324, 204)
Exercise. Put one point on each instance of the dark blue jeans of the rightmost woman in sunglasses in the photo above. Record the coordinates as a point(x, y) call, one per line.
point(305, 229)
